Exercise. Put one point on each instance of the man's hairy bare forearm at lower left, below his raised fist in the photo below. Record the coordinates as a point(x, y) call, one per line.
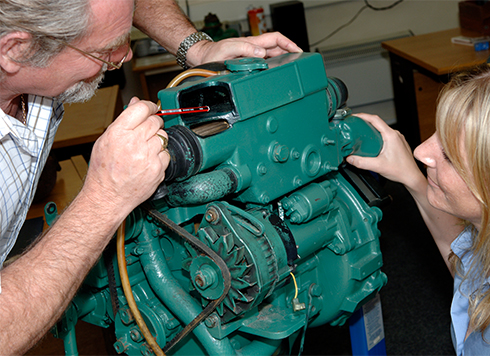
point(37, 288)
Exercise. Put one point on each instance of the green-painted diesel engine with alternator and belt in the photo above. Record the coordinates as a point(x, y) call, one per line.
point(257, 232)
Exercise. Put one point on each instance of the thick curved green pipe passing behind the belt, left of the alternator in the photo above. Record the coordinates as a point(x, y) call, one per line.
point(174, 296)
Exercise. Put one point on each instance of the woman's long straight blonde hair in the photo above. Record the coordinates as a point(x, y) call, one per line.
point(463, 120)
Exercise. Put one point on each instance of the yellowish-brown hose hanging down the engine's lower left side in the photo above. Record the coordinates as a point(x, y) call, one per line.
point(123, 273)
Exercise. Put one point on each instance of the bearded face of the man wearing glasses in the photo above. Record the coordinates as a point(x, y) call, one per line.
point(73, 76)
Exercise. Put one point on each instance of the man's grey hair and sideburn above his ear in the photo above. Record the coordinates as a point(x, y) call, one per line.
point(48, 22)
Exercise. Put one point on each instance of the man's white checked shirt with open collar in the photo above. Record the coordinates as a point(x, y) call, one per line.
point(23, 153)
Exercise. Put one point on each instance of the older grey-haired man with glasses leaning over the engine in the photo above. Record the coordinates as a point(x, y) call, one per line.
point(54, 51)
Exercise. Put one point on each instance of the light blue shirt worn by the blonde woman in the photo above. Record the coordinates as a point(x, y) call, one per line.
point(476, 343)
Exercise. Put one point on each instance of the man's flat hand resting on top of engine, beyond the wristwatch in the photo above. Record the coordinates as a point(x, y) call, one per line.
point(266, 45)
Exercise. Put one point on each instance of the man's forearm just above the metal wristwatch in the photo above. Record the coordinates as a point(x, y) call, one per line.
point(163, 21)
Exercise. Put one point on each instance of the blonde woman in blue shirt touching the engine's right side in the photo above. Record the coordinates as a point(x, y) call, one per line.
point(453, 197)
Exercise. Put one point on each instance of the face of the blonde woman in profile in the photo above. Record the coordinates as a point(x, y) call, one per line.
point(446, 190)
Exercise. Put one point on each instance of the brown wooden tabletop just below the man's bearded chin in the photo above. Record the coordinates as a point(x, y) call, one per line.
point(85, 122)
